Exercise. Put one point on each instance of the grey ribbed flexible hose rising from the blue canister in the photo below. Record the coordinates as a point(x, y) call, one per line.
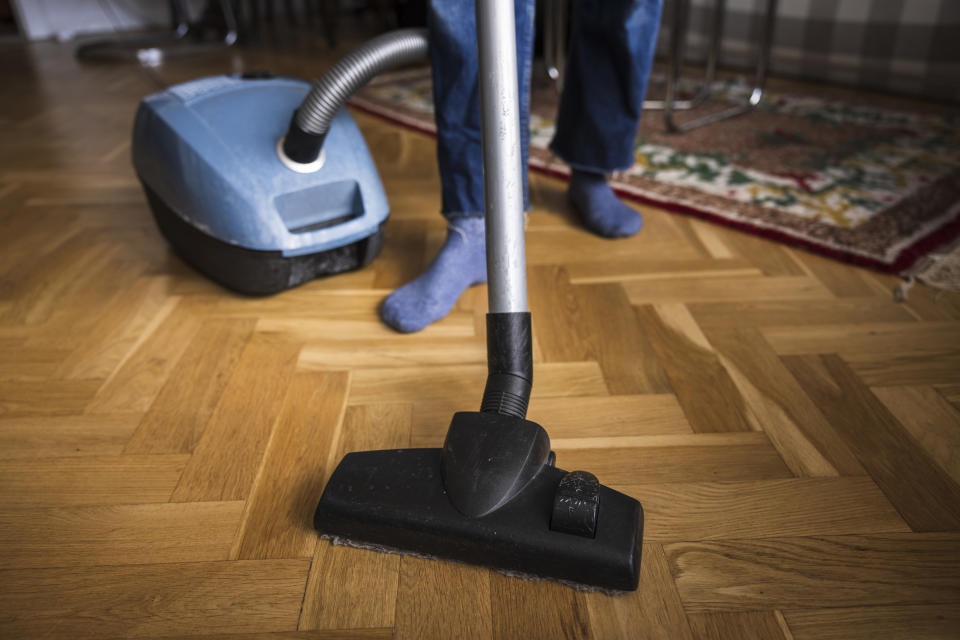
point(331, 92)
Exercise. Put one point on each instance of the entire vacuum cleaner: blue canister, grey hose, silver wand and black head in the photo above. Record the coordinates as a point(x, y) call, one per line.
point(261, 200)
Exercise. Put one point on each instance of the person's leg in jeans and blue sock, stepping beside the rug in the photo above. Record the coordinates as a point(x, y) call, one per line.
point(612, 48)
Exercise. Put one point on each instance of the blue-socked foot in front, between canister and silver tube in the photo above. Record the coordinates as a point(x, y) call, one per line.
point(461, 263)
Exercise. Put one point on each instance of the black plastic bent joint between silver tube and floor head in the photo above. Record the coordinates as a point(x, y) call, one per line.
point(509, 364)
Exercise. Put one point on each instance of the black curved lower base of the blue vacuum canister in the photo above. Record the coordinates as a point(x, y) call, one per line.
point(254, 272)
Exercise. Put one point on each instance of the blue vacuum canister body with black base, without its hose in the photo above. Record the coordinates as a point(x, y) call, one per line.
point(207, 155)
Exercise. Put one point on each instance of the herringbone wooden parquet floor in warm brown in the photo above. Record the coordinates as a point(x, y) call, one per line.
point(793, 433)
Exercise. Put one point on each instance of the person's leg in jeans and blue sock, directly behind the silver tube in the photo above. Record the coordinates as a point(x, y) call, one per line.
point(461, 262)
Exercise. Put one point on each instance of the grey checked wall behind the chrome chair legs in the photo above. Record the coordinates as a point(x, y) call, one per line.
point(906, 46)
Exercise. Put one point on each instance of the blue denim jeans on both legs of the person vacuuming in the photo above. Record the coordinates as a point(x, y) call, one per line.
point(612, 47)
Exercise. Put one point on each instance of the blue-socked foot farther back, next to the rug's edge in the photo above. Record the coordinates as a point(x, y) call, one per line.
point(599, 208)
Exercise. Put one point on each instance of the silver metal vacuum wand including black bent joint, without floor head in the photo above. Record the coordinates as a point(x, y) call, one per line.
point(509, 341)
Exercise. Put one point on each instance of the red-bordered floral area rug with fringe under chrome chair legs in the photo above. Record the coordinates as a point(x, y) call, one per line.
point(868, 185)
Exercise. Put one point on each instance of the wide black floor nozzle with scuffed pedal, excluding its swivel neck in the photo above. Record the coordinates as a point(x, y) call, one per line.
point(397, 499)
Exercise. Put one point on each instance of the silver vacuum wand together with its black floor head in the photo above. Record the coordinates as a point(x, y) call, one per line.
point(492, 495)
